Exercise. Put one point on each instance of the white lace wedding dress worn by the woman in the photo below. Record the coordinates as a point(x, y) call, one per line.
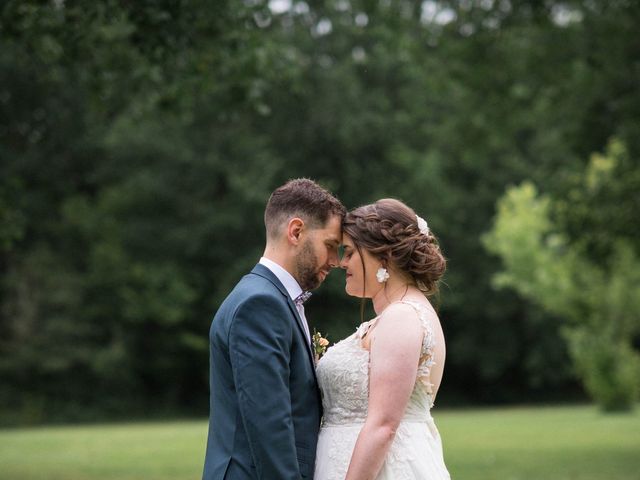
point(343, 375)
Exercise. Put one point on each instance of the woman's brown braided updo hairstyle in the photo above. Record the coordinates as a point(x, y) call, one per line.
point(388, 229)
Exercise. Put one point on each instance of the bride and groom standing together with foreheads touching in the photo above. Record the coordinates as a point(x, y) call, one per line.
point(361, 412)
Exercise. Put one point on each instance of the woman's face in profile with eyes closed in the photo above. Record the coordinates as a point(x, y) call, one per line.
point(359, 282)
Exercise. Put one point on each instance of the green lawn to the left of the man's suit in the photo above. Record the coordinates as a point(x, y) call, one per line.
point(149, 451)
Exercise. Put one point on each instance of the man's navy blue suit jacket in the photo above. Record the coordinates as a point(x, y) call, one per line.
point(265, 404)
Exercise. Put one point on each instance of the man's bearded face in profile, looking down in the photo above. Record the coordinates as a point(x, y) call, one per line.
point(318, 254)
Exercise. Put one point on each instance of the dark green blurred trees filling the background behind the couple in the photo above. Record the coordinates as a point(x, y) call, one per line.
point(139, 142)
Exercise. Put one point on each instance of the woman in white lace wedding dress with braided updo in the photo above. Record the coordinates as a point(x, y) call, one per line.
point(379, 384)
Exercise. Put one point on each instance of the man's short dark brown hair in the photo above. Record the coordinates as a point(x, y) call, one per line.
point(301, 198)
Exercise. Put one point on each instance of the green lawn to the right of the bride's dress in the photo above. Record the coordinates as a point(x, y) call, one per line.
point(567, 443)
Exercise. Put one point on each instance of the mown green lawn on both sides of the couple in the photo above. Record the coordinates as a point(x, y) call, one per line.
point(559, 443)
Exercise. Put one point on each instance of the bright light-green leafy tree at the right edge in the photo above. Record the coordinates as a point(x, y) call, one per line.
point(600, 303)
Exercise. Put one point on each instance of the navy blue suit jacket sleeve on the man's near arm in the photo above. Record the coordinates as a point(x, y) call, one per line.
point(259, 342)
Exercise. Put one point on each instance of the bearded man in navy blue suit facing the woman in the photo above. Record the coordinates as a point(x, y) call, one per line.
point(265, 403)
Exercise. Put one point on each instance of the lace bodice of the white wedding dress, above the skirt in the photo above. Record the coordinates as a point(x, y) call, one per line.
point(343, 375)
